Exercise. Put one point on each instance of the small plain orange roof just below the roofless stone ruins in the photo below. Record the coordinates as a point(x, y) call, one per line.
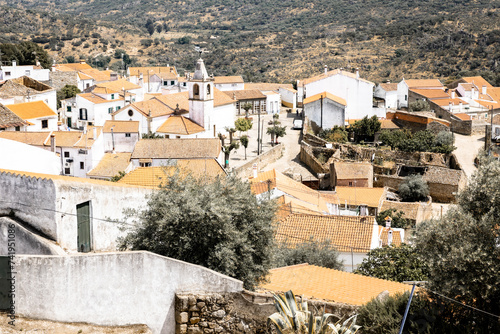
point(372, 197)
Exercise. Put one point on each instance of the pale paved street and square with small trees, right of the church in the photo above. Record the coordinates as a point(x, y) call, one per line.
point(290, 161)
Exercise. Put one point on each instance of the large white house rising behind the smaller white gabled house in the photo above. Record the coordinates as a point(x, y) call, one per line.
point(357, 92)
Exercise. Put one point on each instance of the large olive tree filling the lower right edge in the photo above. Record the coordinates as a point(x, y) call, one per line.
point(463, 252)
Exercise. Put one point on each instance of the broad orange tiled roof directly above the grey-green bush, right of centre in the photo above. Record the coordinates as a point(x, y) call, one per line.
point(343, 232)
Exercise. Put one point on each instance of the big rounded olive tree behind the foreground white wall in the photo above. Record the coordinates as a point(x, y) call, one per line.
point(217, 223)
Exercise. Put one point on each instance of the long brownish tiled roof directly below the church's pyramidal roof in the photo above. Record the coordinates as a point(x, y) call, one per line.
point(177, 148)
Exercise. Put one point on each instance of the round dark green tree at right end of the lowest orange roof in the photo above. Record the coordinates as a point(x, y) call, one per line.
point(394, 263)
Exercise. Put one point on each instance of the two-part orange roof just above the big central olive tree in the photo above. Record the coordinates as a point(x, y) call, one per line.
point(154, 176)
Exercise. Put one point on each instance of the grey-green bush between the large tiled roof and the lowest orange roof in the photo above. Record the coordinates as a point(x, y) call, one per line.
point(321, 254)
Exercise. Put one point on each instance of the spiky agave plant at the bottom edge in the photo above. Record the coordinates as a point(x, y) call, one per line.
point(296, 318)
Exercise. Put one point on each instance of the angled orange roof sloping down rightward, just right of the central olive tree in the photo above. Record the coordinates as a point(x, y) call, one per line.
point(288, 186)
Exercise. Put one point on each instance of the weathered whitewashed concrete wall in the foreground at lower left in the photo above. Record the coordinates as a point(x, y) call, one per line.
point(111, 289)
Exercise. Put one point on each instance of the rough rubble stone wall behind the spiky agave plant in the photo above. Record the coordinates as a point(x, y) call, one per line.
point(244, 312)
